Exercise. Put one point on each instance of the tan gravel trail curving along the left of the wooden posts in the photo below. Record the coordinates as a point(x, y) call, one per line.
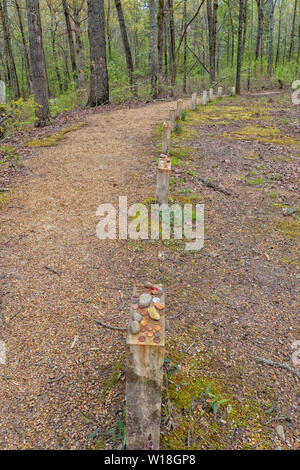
point(52, 222)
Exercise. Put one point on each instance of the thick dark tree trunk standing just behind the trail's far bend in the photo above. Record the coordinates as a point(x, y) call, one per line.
point(99, 89)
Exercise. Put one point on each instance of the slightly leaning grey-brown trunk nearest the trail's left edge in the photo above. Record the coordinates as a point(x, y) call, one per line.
point(38, 66)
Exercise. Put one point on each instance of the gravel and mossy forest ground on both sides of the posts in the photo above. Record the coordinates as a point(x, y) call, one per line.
point(62, 386)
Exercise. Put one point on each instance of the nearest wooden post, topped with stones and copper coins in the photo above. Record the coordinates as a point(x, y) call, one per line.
point(145, 351)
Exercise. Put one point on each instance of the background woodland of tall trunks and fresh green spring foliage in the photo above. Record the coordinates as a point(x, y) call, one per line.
point(92, 52)
